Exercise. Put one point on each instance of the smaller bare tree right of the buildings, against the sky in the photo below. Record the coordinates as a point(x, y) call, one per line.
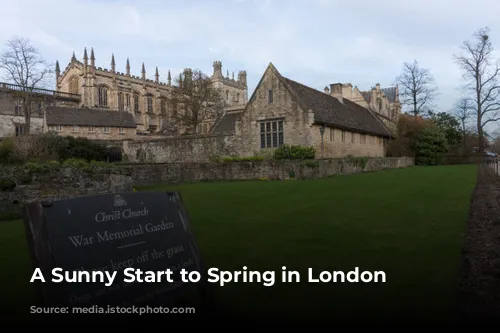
point(417, 88)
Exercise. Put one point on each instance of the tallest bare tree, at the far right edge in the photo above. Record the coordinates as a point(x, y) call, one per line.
point(481, 71)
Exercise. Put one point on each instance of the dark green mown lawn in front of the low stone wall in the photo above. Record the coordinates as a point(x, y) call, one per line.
point(409, 223)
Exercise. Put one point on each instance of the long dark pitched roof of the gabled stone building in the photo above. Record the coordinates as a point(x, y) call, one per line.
point(329, 110)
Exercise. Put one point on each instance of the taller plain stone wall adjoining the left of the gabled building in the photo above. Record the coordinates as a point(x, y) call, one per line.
point(188, 149)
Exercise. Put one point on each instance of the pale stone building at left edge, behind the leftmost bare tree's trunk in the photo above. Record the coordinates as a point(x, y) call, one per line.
point(12, 118)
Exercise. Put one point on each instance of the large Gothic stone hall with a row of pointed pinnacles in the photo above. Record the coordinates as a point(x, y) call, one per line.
point(146, 99)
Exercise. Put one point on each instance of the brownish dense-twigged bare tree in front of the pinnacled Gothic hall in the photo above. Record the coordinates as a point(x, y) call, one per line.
point(194, 100)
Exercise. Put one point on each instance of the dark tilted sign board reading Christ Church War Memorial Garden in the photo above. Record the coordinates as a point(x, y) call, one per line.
point(124, 241)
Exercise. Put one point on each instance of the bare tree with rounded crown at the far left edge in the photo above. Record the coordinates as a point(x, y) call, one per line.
point(24, 67)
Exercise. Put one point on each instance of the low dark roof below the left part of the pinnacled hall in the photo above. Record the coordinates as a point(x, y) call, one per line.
point(89, 117)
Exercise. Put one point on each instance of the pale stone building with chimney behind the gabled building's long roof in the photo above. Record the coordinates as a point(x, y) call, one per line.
point(384, 102)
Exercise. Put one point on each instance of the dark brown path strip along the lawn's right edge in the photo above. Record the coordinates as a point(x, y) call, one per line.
point(480, 280)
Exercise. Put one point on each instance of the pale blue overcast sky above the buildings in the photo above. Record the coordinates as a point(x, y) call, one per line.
point(315, 42)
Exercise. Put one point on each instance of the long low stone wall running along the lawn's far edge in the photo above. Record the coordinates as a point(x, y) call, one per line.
point(19, 187)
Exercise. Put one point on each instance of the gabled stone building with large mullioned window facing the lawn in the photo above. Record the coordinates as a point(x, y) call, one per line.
point(282, 111)
